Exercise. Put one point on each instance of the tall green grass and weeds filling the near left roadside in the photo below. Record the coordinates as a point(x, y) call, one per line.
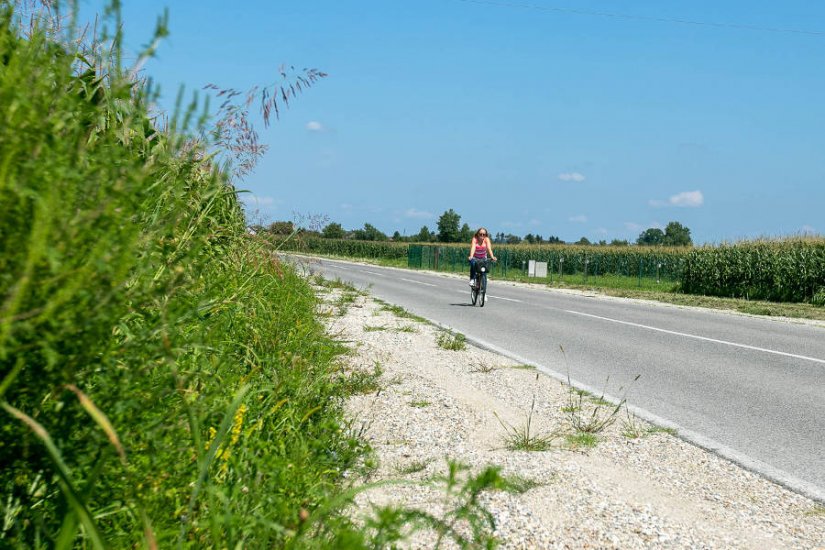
point(164, 381)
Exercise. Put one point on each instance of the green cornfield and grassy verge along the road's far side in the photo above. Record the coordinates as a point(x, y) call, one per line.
point(784, 278)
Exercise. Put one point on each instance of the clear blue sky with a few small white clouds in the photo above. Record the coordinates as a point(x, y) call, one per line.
point(571, 118)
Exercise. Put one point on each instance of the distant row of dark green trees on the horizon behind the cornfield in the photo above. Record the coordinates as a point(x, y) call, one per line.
point(449, 229)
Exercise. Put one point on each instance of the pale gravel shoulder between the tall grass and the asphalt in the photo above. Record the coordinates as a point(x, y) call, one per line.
point(649, 491)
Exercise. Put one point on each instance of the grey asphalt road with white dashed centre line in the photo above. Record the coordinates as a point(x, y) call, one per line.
point(750, 389)
